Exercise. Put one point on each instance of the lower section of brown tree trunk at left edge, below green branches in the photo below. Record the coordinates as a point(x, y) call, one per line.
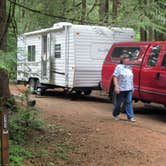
point(4, 86)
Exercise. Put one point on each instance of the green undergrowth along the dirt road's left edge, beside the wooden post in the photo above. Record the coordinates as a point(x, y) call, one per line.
point(23, 121)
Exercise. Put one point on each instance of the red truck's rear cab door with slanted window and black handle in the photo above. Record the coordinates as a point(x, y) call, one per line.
point(150, 74)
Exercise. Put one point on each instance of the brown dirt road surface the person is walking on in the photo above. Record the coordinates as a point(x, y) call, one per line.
point(100, 140)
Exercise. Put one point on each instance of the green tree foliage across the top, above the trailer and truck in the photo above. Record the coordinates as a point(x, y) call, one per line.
point(132, 13)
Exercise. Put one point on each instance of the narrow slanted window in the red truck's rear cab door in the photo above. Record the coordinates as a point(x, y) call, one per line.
point(153, 57)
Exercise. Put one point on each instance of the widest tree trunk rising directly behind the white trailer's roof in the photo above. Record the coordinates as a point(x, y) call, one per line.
point(103, 11)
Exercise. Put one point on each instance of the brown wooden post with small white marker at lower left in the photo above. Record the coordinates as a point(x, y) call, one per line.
point(4, 138)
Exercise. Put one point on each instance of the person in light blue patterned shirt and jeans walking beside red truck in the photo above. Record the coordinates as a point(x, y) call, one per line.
point(123, 83)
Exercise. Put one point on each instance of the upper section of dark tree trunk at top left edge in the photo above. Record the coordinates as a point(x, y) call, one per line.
point(2, 24)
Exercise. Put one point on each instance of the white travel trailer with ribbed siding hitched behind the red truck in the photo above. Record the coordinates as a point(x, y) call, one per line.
point(66, 55)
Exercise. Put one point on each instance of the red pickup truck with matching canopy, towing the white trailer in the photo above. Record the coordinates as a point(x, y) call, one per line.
point(148, 61)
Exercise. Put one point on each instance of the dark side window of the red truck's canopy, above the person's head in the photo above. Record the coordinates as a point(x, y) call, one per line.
point(133, 52)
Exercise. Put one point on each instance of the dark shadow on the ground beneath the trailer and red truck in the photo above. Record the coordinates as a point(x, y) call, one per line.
point(153, 111)
